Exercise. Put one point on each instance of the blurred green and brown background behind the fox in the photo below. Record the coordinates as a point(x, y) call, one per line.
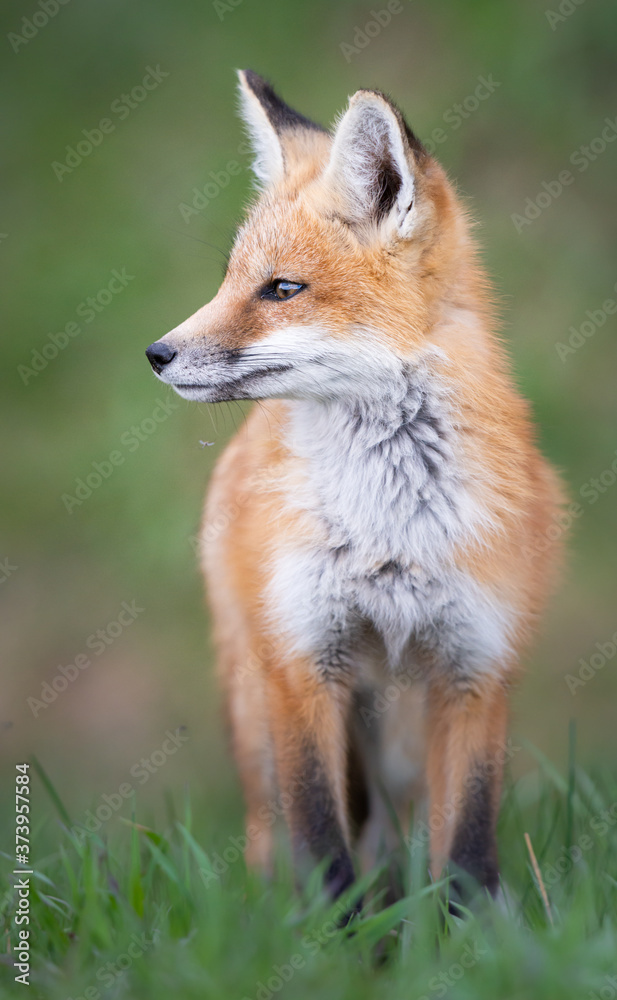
point(66, 574)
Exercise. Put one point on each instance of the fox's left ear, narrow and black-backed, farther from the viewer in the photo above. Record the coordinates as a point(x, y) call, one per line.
point(270, 123)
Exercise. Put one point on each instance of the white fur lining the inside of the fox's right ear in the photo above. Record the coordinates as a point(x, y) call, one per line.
point(367, 134)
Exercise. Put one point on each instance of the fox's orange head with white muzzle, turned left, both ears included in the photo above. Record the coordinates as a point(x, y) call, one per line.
point(354, 250)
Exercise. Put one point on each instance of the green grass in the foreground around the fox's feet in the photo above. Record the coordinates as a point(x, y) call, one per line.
point(139, 913)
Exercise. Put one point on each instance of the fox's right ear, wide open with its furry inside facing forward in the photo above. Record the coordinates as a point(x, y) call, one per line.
point(373, 163)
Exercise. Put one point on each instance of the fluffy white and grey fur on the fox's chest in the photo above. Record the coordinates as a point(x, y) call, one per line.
point(386, 499)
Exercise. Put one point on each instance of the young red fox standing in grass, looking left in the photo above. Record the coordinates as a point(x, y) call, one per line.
point(370, 579)
